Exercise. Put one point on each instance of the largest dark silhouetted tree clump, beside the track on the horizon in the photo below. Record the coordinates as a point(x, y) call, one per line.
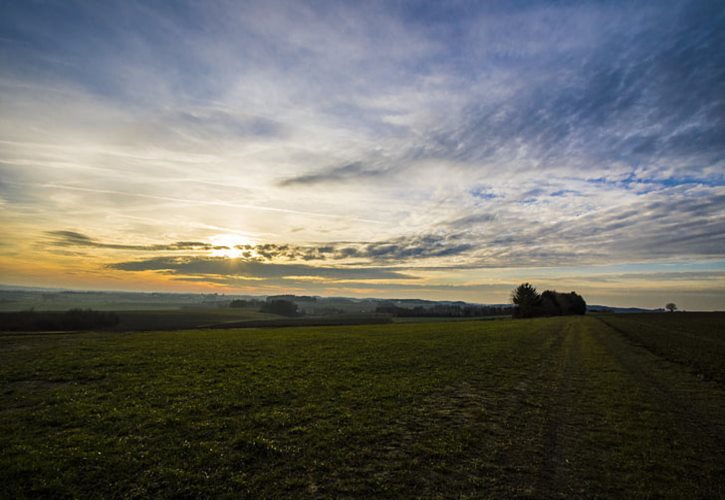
point(528, 303)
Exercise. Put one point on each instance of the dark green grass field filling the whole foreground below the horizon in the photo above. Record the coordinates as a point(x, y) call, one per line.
point(577, 406)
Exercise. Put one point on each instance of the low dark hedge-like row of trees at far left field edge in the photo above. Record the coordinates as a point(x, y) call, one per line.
point(74, 319)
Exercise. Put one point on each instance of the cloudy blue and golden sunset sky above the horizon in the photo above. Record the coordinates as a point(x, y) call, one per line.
point(438, 150)
